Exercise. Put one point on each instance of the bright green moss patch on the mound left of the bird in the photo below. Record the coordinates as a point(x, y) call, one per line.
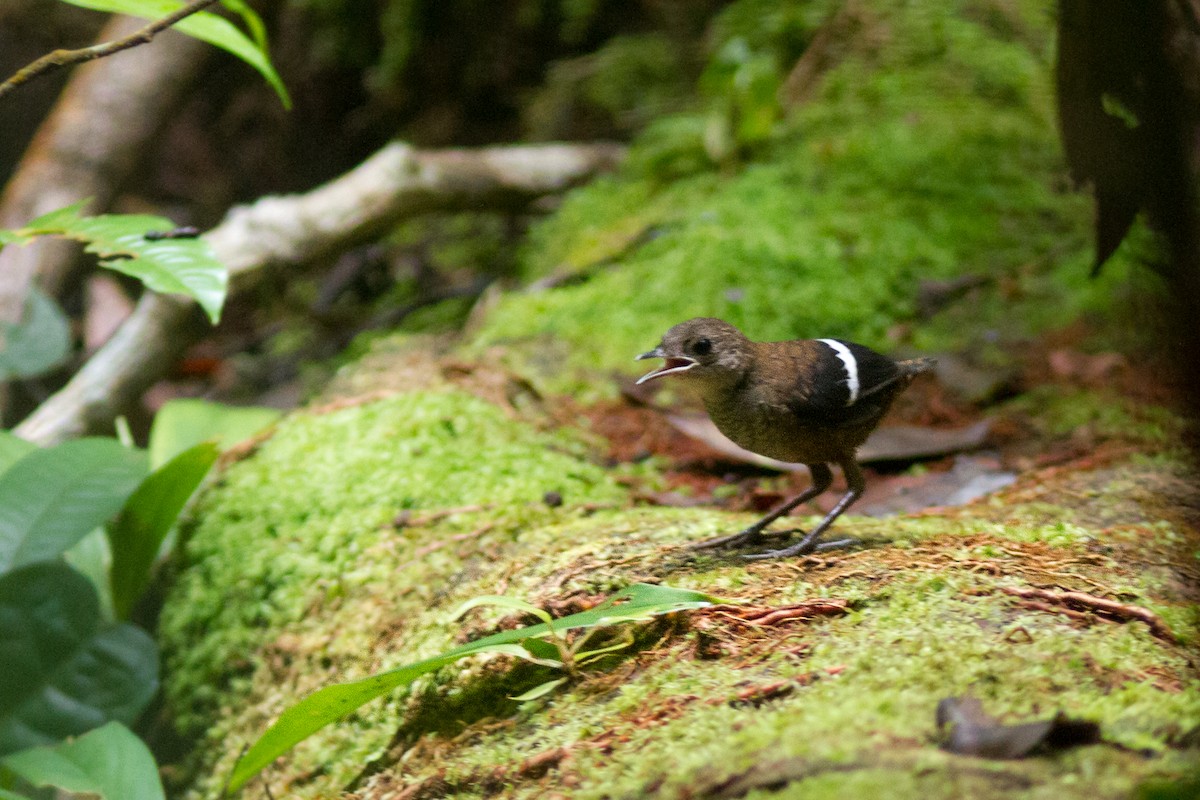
point(296, 526)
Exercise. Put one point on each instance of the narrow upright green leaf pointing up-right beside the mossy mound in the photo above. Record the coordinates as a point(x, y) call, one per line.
point(139, 532)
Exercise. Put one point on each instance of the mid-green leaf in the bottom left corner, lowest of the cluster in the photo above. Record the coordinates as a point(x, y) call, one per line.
point(109, 762)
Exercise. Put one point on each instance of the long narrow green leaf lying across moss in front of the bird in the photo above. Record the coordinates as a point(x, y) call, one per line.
point(334, 702)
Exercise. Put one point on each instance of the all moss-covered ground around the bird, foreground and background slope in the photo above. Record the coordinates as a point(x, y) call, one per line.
point(340, 546)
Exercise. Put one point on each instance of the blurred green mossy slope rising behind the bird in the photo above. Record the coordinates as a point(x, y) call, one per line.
point(927, 159)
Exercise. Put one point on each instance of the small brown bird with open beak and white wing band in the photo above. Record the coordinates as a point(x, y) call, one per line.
point(807, 401)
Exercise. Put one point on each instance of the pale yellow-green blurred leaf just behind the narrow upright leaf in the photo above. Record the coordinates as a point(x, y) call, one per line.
point(183, 424)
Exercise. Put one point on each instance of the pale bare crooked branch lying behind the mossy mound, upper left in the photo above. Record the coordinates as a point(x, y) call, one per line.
point(394, 184)
